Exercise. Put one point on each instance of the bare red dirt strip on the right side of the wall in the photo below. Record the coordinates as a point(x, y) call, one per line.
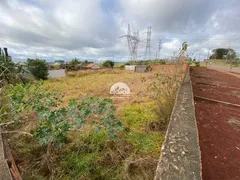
point(219, 139)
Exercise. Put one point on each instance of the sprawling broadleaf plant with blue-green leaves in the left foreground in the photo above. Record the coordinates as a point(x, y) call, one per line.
point(54, 122)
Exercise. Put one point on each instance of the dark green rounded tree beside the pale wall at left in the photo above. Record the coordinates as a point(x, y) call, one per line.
point(38, 68)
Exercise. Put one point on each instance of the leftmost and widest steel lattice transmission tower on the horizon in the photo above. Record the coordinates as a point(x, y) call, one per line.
point(133, 41)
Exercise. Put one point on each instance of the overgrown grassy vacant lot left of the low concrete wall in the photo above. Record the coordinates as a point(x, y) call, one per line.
point(92, 155)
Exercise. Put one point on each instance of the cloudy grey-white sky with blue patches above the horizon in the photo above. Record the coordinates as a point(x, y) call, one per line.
point(90, 29)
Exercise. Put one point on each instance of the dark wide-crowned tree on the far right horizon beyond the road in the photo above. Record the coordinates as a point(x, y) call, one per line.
point(223, 53)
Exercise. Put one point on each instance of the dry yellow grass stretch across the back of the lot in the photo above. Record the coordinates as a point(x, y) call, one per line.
point(75, 86)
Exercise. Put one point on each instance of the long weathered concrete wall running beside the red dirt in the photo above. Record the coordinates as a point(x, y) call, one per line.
point(180, 156)
